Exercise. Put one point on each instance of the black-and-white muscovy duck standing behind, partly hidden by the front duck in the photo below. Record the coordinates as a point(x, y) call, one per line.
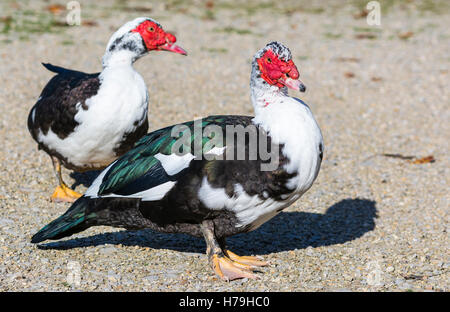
point(85, 121)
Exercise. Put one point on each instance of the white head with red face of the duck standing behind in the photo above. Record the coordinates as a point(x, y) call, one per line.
point(138, 37)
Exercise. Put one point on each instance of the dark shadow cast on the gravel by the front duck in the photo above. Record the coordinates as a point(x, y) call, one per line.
point(342, 222)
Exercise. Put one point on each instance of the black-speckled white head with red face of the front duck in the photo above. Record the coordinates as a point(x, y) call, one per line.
point(273, 68)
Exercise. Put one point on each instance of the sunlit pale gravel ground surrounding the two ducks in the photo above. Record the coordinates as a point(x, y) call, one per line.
point(369, 223)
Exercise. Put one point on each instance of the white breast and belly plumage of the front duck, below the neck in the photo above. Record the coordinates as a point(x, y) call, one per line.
point(290, 123)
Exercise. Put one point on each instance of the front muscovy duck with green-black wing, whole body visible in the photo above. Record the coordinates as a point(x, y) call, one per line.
point(211, 194)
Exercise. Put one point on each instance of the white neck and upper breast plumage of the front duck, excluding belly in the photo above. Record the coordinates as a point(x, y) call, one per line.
point(289, 122)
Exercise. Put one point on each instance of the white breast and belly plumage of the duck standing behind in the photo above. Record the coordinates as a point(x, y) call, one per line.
point(121, 100)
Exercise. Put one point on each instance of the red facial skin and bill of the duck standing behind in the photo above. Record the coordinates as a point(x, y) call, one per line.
point(155, 38)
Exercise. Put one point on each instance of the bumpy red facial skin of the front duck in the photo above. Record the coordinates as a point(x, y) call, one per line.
point(275, 71)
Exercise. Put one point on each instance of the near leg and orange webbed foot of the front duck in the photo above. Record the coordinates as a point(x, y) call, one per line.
point(223, 266)
